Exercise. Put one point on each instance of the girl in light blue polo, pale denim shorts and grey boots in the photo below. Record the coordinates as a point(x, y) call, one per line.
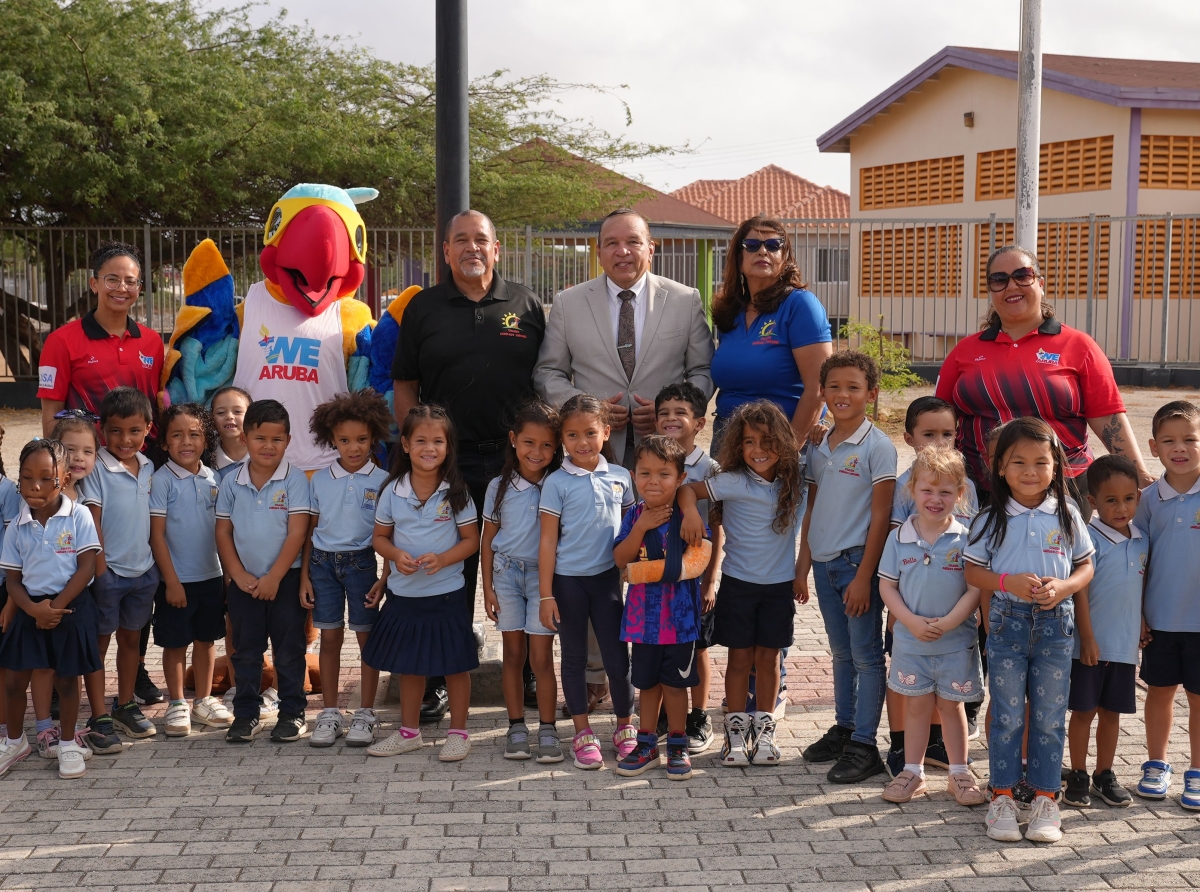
point(509, 565)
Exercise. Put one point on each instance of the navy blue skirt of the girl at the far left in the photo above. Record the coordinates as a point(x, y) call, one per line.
point(70, 649)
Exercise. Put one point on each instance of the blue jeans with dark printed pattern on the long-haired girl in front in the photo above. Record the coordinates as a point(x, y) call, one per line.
point(1029, 657)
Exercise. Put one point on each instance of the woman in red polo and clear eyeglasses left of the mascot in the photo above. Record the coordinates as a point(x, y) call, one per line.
point(85, 360)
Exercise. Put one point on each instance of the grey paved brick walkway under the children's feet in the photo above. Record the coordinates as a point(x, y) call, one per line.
point(199, 815)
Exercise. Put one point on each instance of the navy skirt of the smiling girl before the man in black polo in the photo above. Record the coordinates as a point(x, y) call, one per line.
point(430, 636)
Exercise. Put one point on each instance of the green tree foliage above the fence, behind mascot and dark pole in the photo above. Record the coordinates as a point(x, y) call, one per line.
point(172, 112)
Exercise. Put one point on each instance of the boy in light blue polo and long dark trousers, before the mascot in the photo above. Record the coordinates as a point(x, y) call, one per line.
point(262, 525)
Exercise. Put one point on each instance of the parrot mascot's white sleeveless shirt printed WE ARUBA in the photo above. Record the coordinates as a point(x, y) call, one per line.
point(296, 360)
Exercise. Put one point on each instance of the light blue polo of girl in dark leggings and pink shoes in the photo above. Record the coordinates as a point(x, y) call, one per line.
point(589, 506)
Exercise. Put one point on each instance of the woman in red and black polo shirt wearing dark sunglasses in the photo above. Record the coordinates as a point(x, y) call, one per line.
point(1028, 363)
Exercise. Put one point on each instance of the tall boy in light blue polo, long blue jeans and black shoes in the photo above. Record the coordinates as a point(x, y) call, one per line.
point(851, 486)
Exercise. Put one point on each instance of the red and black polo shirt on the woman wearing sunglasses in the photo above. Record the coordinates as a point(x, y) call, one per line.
point(1057, 374)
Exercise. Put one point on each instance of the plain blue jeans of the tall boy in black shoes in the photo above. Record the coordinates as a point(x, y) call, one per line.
point(860, 678)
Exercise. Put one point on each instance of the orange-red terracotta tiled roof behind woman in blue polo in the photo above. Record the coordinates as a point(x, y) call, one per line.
point(772, 191)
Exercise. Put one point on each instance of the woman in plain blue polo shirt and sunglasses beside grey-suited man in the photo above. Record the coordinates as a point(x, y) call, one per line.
point(773, 336)
